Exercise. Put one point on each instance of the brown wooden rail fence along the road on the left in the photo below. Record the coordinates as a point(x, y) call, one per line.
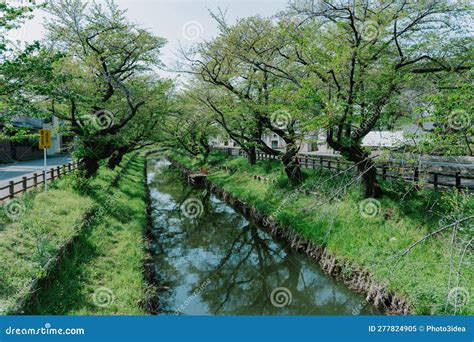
point(27, 183)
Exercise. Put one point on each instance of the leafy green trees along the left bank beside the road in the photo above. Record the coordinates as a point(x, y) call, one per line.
point(95, 71)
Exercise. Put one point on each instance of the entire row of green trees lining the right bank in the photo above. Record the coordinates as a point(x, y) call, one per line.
point(344, 67)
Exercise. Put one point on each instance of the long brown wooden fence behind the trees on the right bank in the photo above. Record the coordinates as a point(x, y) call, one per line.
point(385, 171)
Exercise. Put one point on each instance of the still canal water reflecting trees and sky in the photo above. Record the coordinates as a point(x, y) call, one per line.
point(212, 261)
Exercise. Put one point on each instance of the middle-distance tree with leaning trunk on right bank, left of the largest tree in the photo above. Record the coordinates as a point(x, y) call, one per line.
point(235, 67)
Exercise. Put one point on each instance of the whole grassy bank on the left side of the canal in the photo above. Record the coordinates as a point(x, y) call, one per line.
point(102, 271)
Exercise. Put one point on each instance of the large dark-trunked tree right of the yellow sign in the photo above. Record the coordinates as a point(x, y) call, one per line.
point(102, 83)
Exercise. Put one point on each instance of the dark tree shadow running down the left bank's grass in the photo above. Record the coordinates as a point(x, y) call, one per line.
point(63, 290)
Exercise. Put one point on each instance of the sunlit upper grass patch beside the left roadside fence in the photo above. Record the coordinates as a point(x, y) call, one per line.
point(49, 221)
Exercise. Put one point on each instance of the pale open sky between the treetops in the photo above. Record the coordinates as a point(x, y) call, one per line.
point(181, 22)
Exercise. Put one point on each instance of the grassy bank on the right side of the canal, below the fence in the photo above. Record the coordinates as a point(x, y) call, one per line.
point(373, 243)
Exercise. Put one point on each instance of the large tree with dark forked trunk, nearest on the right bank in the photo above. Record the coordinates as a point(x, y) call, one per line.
point(361, 58)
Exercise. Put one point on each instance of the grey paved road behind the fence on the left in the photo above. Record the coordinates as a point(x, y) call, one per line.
point(15, 171)
